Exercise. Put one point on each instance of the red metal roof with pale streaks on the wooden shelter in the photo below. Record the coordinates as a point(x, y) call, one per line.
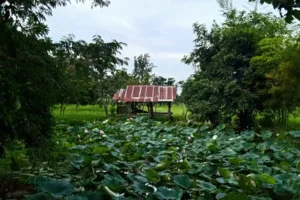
point(146, 93)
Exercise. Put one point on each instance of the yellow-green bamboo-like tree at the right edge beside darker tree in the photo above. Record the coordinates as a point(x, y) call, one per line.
point(278, 61)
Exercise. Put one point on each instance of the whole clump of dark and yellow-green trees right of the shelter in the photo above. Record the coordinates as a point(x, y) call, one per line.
point(246, 66)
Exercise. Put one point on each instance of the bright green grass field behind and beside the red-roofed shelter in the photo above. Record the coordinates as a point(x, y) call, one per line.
point(94, 112)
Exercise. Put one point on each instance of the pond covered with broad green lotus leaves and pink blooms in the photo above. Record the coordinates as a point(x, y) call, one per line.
point(139, 159)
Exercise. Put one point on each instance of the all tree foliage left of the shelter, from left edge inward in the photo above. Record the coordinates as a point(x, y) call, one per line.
point(35, 73)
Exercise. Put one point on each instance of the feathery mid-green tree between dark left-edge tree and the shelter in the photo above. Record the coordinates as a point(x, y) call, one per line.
point(91, 70)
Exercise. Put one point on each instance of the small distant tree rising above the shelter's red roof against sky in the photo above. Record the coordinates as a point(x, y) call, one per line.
point(142, 68)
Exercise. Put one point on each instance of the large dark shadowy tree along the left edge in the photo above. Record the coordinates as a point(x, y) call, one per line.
point(30, 76)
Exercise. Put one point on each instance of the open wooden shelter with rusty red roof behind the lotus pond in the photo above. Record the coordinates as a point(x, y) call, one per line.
point(144, 94)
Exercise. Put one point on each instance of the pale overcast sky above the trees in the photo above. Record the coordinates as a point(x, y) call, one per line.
point(162, 28)
